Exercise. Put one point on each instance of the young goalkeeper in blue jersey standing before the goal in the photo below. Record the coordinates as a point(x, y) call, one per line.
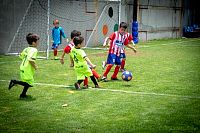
point(57, 34)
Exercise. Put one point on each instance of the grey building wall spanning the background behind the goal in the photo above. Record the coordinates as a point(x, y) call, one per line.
point(96, 19)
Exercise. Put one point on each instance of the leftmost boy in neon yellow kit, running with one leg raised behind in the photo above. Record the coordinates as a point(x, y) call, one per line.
point(28, 65)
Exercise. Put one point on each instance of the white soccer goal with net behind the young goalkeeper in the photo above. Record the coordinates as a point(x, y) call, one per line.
point(95, 19)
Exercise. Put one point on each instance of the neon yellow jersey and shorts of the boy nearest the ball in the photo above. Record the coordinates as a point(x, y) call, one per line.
point(80, 64)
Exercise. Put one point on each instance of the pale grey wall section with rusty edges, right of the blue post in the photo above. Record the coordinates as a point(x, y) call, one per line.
point(159, 19)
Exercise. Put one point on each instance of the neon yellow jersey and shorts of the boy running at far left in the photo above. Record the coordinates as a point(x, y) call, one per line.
point(26, 69)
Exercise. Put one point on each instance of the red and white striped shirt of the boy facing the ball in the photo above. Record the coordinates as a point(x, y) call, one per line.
point(117, 42)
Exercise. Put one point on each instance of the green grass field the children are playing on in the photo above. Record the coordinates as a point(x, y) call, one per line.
point(164, 95)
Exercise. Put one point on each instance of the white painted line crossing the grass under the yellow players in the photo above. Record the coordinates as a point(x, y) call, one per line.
point(118, 91)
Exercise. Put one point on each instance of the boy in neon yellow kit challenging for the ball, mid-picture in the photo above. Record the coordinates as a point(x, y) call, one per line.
point(81, 62)
